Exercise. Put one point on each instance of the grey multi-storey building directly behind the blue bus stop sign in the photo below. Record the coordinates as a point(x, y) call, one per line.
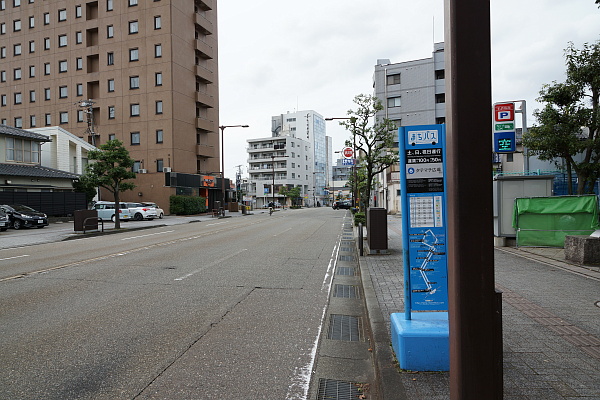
point(412, 93)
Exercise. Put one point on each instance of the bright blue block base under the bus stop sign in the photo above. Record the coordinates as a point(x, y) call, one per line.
point(421, 343)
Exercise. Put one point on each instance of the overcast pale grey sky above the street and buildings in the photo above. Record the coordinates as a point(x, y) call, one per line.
point(279, 55)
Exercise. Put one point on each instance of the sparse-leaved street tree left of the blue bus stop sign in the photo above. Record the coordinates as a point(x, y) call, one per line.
point(373, 140)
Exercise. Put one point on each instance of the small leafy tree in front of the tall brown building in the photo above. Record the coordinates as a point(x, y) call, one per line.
point(111, 170)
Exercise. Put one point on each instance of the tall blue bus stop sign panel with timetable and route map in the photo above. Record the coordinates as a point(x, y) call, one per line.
point(422, 178)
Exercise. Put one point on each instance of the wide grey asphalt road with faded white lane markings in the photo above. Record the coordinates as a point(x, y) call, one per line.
point(222, 309)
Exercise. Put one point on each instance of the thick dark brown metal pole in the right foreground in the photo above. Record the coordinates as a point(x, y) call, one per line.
point(474, 364)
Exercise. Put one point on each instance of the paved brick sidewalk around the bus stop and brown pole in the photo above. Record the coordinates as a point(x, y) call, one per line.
point(551, 324)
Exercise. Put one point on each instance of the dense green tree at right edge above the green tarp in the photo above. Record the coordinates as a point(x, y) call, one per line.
point(569, 123)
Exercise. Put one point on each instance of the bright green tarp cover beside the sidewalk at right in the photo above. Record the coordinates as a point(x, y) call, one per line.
point(545, 221)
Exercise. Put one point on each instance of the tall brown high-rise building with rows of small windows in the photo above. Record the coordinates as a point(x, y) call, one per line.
point(145, 72)
